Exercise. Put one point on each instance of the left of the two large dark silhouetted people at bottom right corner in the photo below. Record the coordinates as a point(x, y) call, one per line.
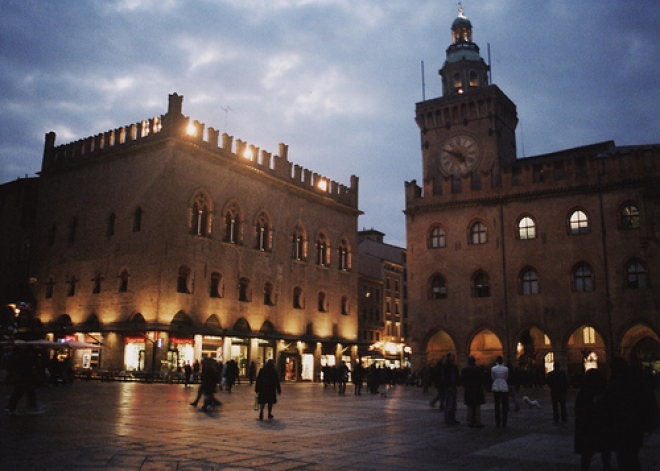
point(593, 425)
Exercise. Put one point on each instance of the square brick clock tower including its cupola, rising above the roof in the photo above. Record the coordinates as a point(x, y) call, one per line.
point(471, 128)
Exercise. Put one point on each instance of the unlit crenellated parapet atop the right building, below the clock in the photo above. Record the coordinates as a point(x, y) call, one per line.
point(593, 166)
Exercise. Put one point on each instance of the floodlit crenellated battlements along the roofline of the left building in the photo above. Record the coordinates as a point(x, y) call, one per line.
point(174, 125)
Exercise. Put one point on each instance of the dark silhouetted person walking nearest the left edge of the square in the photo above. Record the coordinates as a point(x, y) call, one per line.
point(22, 368)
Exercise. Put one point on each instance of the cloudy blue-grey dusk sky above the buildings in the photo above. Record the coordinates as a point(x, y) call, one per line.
point(335, 80)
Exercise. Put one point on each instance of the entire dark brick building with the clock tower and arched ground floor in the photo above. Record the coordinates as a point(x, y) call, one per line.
point(552, 257)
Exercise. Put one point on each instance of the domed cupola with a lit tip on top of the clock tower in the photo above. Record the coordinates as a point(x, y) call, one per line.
point(464, 69)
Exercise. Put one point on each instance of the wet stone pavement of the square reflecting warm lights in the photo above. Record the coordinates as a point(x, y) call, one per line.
point(93, 425)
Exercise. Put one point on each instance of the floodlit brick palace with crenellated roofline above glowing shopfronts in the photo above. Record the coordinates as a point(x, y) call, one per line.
point(164, 246)
